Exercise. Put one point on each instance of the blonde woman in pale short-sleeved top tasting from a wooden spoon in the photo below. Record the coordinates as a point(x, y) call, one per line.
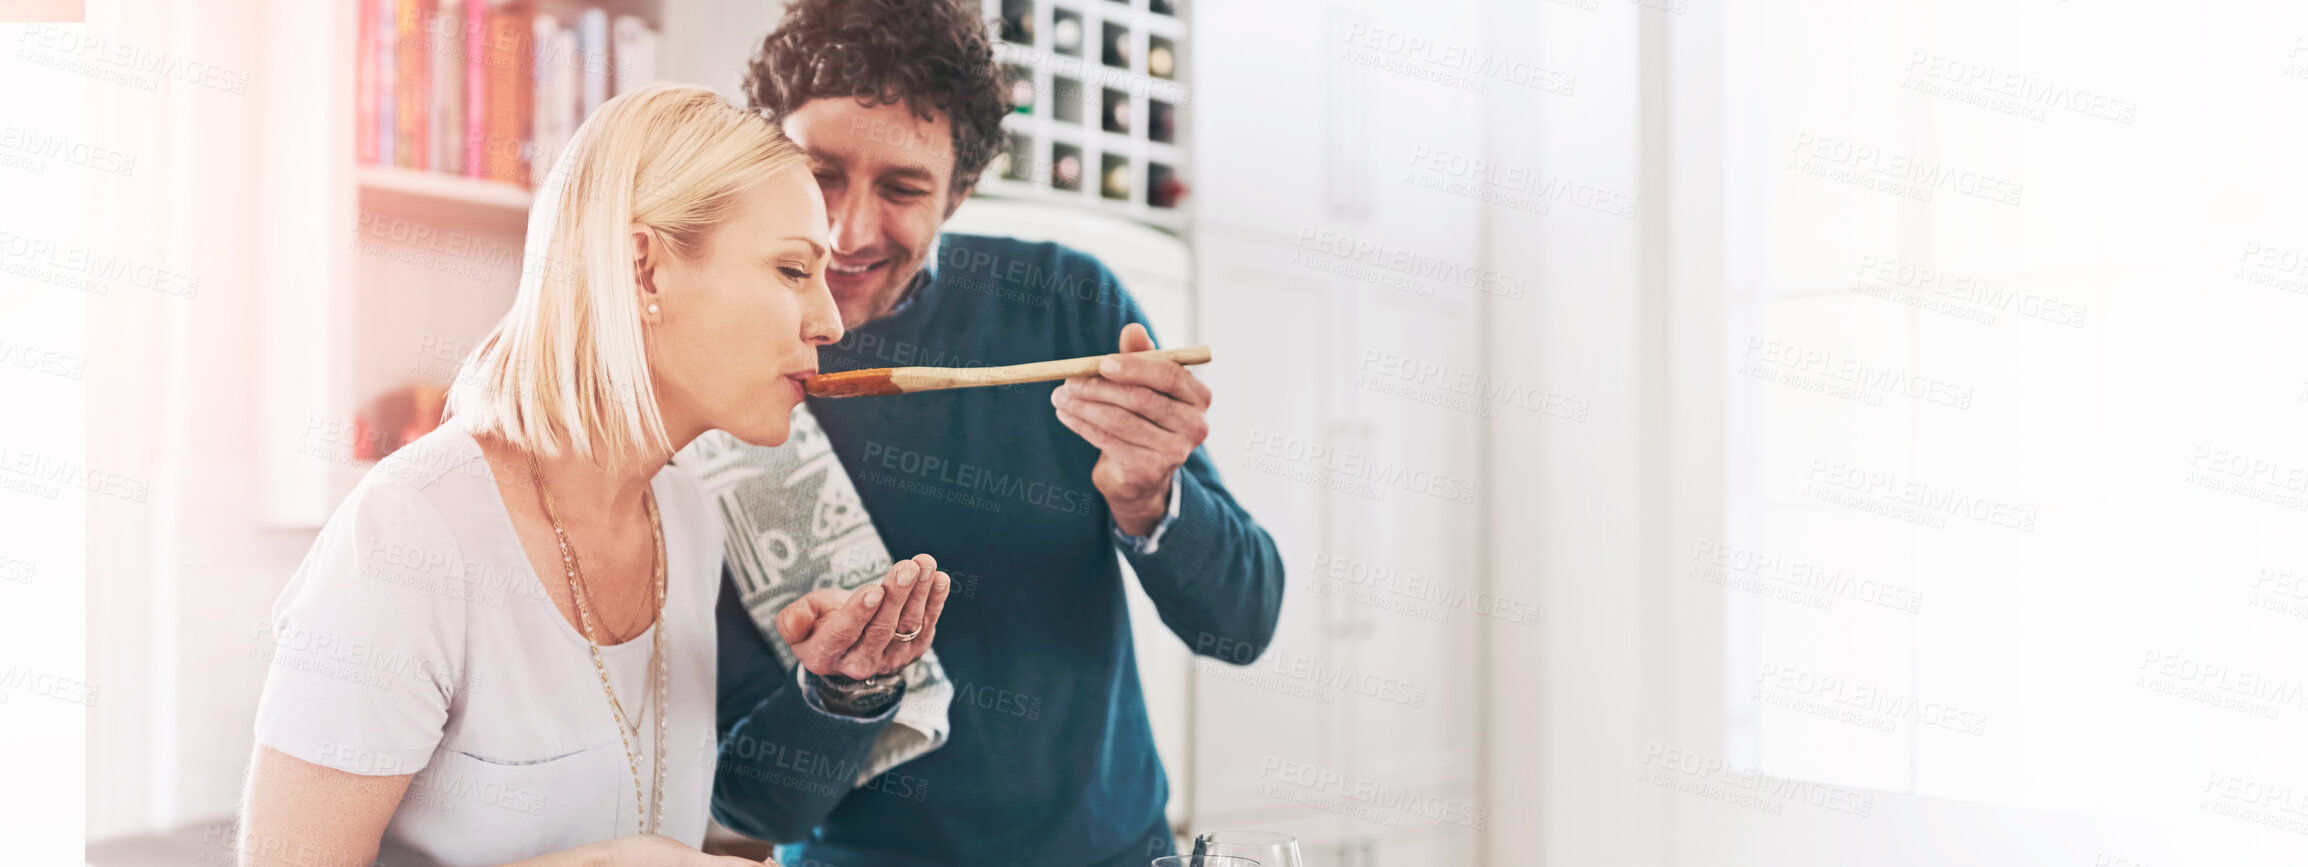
point(502, 644)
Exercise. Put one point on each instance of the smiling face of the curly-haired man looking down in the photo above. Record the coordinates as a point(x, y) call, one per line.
point(887, 179)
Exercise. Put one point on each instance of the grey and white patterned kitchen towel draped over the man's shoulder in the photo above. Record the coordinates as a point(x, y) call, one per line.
point(795, 525)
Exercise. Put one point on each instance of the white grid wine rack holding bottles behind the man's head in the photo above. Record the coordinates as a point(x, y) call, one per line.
point(1102, 105)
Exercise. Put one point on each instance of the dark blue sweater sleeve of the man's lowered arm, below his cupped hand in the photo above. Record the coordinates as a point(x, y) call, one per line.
point(784, 762)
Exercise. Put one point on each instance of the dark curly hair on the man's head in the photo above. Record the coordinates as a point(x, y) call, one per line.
point(929, 54)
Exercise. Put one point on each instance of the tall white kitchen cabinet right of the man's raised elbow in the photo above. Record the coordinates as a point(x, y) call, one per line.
point(1321, 273)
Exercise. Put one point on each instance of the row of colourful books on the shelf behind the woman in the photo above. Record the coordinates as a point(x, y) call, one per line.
point(488, 89)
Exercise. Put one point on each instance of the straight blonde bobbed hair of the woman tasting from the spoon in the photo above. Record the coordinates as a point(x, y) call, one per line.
point(567, 368)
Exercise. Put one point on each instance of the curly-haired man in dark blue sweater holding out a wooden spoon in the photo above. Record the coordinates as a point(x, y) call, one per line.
point(1024, 495)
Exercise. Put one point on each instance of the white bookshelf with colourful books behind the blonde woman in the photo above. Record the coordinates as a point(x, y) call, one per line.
point(391, 259)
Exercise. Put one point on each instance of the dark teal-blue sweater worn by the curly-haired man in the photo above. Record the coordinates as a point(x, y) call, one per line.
point(1051, 757)
